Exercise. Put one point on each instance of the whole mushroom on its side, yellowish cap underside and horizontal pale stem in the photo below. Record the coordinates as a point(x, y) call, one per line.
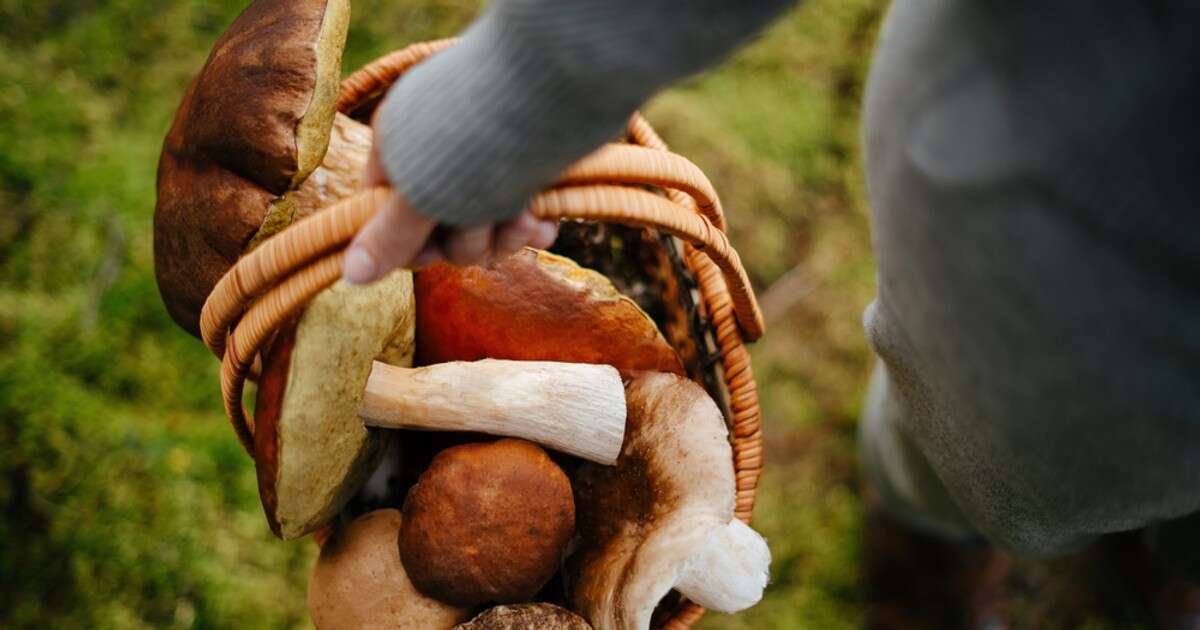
point(321, 386)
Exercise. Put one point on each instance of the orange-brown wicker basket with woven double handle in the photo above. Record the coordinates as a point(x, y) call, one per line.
point(643, 217)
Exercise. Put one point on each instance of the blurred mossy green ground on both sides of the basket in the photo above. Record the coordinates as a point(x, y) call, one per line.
point(128, 502)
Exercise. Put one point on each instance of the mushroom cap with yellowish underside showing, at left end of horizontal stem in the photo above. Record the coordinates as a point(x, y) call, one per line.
point(311, 451)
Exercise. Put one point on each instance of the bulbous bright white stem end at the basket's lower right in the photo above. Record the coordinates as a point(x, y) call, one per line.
point(730, 572)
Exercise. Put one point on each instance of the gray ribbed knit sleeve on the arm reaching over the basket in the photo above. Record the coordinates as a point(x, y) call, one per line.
point(471, 135)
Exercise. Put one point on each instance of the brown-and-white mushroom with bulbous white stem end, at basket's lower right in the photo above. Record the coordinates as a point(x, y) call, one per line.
point(663, 518)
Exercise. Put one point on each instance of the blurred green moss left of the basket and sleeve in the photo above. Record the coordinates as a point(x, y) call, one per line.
point(127, 501)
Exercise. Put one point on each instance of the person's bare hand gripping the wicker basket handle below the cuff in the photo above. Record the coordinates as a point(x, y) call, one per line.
point(400, 237)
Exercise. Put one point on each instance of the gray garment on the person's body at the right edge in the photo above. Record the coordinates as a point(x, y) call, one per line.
point(1034, 171)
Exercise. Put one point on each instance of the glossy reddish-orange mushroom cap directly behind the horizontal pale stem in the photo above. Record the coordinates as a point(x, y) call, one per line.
point(535, 307)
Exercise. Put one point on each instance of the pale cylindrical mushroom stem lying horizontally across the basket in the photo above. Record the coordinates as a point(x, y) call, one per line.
point(575, 409)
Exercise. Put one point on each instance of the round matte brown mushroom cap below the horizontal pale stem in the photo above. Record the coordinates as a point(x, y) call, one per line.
point(488, 524)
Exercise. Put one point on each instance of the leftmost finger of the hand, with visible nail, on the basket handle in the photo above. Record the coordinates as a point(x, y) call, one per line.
point(391, 241)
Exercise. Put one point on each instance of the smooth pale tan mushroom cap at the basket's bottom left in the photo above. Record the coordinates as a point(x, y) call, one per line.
point(359, 583)
